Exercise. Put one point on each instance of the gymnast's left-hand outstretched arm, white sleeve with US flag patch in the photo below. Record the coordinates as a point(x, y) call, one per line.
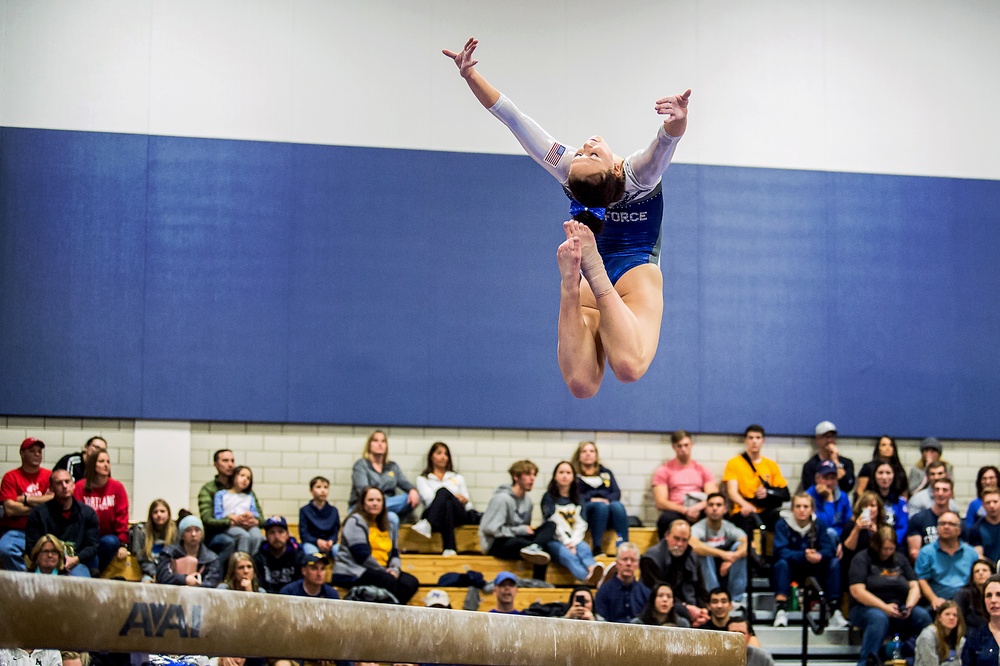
point(551, 155)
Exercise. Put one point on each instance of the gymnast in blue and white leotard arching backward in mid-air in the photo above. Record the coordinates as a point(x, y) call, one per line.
point(614, 311)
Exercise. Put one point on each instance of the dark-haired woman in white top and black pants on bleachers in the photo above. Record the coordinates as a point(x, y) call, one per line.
point(445, 496)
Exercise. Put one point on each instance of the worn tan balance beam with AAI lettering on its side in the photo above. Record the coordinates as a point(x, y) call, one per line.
point(92, 615)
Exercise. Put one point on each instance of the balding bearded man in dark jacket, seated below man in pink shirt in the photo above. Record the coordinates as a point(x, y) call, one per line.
point(673, 561)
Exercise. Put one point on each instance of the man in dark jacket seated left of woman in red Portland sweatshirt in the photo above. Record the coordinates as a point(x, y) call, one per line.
point(71, 521)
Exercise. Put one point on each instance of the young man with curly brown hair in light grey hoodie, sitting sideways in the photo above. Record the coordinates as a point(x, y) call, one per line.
point(505, 531)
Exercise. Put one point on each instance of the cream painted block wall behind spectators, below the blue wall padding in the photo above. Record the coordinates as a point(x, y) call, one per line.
point(285, 456)
